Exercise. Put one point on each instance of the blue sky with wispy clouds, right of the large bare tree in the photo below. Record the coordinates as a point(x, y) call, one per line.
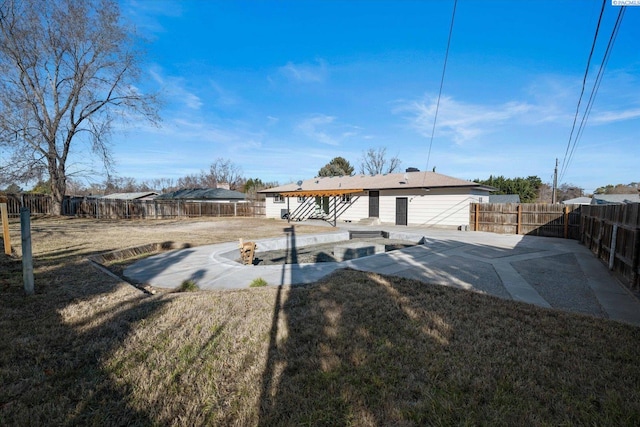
point(282, 87)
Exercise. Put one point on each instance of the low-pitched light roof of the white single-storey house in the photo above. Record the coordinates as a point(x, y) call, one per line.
point(357, 183)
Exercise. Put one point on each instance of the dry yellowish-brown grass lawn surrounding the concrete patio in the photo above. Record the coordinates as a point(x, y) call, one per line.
point(354, 349)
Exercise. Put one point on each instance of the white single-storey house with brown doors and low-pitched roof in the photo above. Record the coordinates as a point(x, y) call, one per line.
point(411, 198)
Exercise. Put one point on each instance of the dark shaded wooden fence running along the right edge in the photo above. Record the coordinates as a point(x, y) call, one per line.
point(612, 233)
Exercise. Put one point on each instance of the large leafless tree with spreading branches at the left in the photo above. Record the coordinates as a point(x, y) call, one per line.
point(67, 71)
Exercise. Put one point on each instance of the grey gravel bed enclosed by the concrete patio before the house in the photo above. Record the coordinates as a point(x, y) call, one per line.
point(319, 253)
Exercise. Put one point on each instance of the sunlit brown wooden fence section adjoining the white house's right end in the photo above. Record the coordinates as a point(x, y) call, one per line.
point(536, 219)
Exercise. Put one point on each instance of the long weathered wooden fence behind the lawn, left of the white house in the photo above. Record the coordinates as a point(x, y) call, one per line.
point(158, 209)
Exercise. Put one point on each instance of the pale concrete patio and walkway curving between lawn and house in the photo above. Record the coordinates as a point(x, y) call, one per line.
point(548, 272)
